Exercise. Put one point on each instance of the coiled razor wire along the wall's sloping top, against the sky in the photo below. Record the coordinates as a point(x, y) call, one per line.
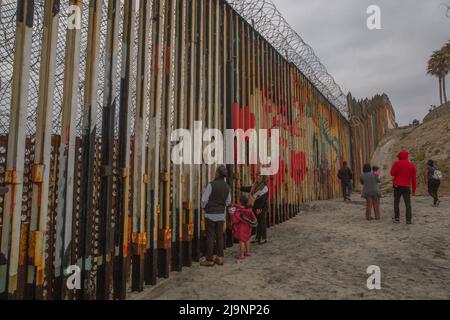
point(265, 18)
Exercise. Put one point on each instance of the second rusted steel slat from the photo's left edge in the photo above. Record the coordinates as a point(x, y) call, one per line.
point(42, 153)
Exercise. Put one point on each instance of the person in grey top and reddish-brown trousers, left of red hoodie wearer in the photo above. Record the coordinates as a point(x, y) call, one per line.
point(371, 192)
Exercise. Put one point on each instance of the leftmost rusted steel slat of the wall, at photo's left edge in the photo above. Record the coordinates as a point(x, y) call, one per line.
point(10, 242)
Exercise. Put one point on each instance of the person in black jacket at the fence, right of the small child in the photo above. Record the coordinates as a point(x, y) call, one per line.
point(260, 193)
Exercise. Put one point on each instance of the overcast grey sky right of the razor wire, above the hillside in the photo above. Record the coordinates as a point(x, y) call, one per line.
point(391, 60)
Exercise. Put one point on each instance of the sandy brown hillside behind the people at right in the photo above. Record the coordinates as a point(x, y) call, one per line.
point(431, 140)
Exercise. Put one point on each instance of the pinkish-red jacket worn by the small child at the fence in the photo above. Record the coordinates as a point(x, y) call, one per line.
point(244, 221)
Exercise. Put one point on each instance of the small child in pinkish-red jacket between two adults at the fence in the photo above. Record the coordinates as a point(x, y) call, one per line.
point(244, 221)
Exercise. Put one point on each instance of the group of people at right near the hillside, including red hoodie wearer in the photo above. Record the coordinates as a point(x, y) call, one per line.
point(404, 174)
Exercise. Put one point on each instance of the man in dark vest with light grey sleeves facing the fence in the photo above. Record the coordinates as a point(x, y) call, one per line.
point(215, 200)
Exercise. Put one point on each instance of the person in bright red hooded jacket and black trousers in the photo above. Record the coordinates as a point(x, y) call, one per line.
point(405, 179)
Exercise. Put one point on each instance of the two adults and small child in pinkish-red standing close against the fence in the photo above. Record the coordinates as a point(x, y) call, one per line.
point(248, 214)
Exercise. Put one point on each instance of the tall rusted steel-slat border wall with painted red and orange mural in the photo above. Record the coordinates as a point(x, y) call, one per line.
point(85, 120)
